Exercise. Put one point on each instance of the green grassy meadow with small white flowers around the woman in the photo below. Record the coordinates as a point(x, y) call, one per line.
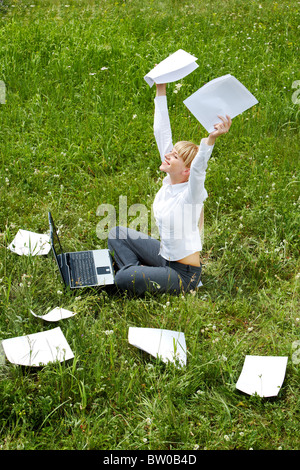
point(76, 131)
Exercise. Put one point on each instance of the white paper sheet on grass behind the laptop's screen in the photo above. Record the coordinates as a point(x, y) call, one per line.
point(30, 243)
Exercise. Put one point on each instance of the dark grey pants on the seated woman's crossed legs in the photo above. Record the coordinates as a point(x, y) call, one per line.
point(141, 269)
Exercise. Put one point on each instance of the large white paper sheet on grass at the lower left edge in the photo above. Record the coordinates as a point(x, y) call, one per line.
point(38, 348)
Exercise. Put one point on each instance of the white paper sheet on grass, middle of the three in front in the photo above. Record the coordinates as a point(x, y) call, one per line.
point(164, 344)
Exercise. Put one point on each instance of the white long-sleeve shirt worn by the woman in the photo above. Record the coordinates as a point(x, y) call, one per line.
point(177, 207)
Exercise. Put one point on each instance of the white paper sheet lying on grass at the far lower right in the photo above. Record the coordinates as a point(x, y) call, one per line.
point(263, 375)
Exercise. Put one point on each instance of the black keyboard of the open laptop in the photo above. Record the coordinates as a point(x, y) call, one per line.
point(83, 271)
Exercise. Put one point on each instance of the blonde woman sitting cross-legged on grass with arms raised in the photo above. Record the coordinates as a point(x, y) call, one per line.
point(172, 264)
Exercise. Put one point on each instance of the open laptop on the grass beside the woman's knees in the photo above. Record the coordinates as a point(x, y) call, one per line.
point(82, 268)
